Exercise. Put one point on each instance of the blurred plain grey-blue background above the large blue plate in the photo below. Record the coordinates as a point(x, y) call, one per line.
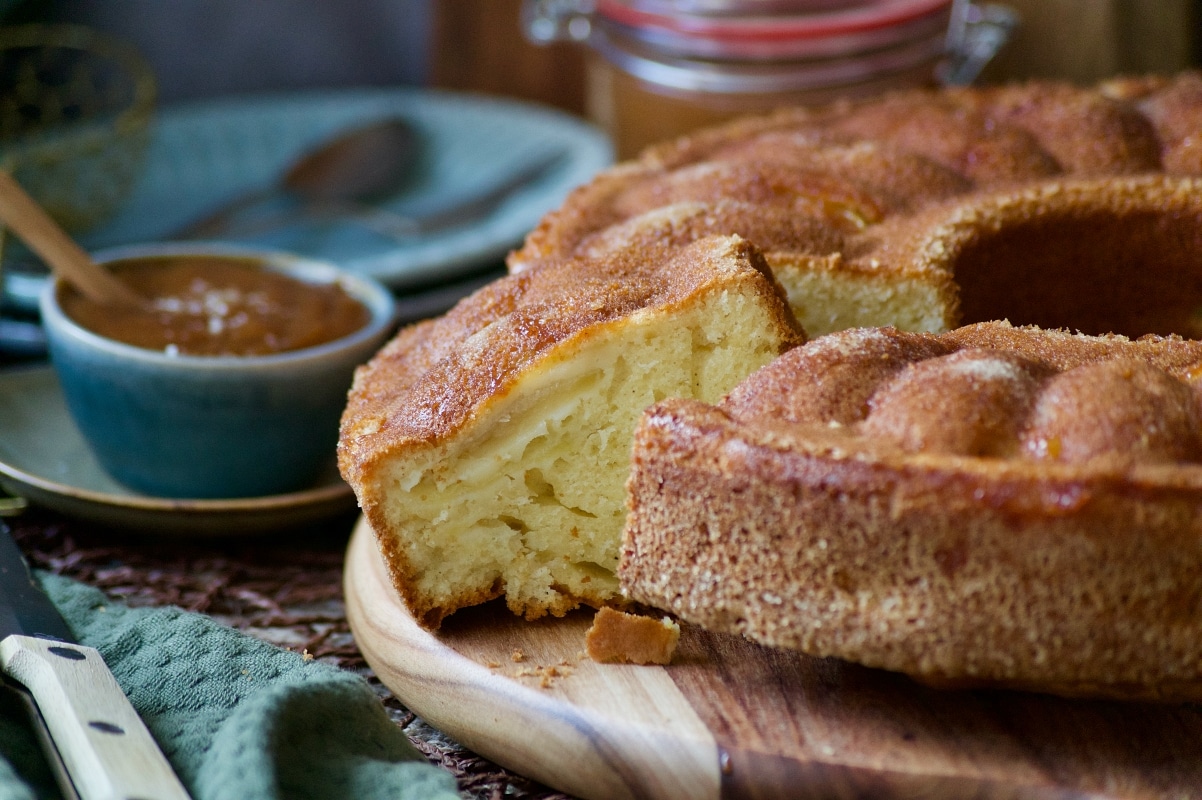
point(212, 47)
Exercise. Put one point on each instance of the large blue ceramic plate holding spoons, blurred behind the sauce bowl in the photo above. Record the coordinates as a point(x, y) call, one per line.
point(207, 153)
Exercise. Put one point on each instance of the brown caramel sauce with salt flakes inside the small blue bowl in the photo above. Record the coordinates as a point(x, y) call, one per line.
point(218, 306)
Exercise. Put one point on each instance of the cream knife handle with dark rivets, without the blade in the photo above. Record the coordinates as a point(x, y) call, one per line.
point(106, 749)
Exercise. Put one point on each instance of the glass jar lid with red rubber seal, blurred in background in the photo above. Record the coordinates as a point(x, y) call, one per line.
point(773, 28)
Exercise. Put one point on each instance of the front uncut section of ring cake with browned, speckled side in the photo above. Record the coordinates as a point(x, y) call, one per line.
point(991, 506)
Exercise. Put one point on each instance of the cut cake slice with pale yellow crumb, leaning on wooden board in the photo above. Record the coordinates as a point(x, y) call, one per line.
point(490, 449)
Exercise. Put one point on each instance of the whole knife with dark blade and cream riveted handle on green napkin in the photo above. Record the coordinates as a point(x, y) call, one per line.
point(103, 743)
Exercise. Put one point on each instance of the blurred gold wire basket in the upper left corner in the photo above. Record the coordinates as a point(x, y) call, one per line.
point(75, 118)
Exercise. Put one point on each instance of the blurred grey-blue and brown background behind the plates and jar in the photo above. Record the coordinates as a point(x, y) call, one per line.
point(212, 47)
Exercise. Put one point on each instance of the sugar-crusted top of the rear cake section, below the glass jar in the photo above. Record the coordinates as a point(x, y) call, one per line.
point(865, 162)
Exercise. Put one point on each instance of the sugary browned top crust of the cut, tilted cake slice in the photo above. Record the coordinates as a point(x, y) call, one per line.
point(429, 381)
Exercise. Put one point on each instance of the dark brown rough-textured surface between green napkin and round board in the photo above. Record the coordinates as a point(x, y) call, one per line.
point(284, 589)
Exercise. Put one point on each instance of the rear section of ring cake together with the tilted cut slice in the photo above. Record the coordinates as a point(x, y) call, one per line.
point(490, 449)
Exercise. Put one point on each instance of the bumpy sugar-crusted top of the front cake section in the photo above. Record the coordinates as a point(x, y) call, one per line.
point(991, 391)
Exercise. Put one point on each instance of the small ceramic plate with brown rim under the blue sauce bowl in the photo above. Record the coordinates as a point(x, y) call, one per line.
point(45, 459)
